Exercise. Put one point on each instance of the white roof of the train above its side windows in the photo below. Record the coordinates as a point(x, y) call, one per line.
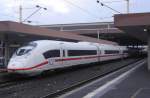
point(78, 45)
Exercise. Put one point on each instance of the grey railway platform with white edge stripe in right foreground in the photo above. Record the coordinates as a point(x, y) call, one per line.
point(134, 83)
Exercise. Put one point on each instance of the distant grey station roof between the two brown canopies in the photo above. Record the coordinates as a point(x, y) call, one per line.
point(98, 30)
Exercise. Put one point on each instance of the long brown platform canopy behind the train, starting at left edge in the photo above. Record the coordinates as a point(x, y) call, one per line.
point(20, 31)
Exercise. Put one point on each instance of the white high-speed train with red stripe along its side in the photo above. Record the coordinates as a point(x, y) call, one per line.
point(42, 55)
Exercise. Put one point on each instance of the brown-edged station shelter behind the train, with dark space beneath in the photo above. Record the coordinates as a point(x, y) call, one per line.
point(13, 35)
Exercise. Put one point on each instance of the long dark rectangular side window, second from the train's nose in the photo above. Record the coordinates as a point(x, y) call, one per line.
point(81, 52)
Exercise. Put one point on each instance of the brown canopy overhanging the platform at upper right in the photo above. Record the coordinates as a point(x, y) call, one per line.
point(135, 24)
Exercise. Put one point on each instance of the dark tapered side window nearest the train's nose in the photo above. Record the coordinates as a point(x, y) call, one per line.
point(51, 53)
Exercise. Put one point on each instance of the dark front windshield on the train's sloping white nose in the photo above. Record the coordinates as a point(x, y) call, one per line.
point(25, 49)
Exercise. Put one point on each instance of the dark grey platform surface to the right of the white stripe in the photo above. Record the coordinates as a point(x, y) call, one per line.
point(137, 85)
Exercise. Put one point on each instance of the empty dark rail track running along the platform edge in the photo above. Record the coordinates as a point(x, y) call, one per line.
point(63, 91)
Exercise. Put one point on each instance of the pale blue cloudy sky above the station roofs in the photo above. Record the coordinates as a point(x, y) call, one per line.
point(67, 11)
